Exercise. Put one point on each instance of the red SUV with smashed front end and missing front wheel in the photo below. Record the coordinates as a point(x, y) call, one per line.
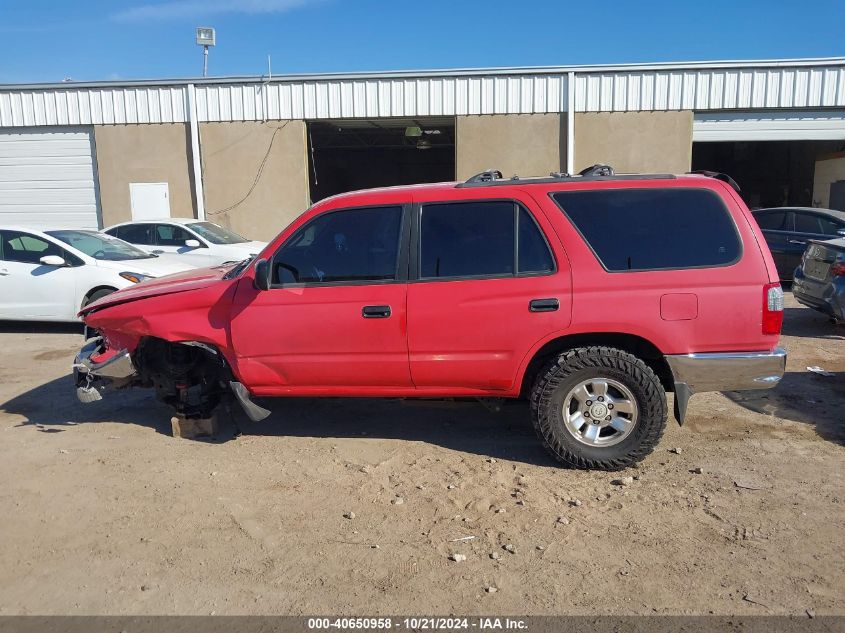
point(589, 295)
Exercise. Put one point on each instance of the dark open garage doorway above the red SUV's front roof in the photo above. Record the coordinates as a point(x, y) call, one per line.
point(345, 155)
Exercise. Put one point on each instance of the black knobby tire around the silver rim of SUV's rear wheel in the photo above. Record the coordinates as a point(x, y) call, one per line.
point(560, 377)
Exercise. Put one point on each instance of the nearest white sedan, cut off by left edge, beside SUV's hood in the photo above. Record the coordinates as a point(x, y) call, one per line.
point(49, 275)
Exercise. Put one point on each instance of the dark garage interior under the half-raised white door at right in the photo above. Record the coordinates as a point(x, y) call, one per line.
point(769, 173)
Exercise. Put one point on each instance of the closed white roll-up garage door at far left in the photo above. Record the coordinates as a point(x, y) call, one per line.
point(47, 177)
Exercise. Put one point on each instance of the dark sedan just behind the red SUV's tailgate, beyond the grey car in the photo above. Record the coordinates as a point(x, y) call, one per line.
point(788, 230)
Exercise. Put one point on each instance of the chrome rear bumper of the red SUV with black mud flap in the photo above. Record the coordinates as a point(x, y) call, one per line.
point(726, 371)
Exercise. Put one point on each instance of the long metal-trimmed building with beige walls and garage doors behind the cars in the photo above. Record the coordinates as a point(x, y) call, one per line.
point(252, 152)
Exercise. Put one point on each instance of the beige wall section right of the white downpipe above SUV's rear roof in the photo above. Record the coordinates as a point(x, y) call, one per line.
point(634, 141)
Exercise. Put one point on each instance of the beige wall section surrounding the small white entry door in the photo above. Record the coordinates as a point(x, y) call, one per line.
point(142, 153)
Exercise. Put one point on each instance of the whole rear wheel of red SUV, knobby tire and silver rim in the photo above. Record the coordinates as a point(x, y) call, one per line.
point(598, 407)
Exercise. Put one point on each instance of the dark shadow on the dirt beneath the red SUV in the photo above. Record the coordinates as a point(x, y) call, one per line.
point(464, 426)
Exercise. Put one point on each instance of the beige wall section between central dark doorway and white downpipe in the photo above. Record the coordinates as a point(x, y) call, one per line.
point(523, 144)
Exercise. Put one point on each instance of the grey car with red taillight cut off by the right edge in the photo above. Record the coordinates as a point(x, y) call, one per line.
point(820, 279)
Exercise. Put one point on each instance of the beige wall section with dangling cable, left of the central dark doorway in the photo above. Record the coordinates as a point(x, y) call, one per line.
point(232, 154)
